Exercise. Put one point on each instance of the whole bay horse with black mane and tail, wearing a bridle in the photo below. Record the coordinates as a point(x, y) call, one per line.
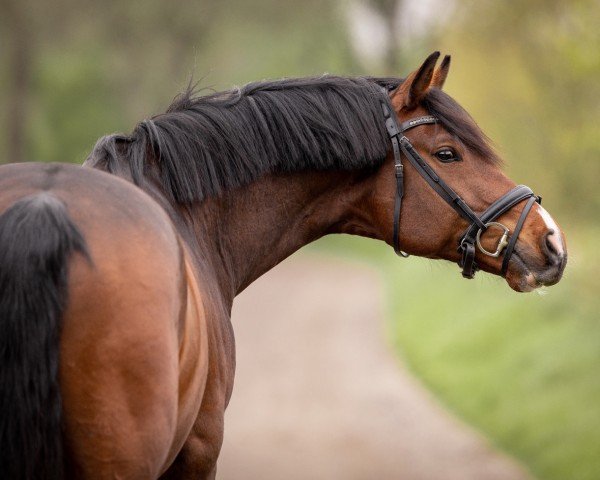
point(117, 278)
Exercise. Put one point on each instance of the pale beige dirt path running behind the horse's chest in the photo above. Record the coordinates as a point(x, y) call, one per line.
point(319, 396)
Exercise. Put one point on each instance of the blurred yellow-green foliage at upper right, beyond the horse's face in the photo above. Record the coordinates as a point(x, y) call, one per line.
point(528, 72)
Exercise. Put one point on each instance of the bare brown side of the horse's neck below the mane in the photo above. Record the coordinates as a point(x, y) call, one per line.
point(248, 231)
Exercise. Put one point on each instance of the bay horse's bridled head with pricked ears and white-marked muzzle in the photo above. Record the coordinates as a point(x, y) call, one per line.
point(445, 155)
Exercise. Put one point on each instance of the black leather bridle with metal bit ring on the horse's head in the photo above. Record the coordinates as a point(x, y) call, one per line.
point(478, 224)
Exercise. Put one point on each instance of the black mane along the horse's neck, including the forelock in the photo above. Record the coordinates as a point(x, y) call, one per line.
point(203, 145)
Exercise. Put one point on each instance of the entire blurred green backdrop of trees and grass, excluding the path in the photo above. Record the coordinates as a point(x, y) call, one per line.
point(523, 369)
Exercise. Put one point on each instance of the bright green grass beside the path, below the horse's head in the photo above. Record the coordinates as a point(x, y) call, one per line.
point(523, 369)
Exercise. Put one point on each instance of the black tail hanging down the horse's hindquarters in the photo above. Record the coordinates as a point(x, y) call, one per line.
point(36, 240)
